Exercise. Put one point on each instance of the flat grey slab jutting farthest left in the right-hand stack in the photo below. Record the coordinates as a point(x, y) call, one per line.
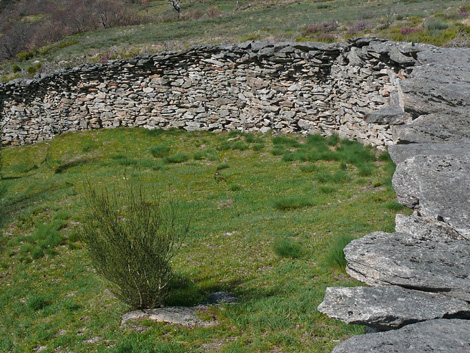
point(391, 307)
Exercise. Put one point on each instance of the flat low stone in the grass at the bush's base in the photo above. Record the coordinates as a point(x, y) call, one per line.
point(172, 315)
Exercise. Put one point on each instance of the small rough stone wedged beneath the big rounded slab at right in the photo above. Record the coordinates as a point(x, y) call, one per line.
point(423, 227)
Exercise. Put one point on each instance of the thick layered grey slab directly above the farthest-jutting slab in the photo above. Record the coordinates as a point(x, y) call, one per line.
point(401, 259)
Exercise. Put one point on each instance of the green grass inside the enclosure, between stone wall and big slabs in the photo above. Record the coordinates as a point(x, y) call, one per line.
point(269, 217)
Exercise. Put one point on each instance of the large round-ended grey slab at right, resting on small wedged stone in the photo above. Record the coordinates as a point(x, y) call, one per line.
point(438, 186)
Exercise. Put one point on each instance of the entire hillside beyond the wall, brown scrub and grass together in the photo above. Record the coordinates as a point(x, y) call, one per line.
point(43, 35)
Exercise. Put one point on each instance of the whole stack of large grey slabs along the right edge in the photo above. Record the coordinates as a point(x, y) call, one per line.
point(419, 275)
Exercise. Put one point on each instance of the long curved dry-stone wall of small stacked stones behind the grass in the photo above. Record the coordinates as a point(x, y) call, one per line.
point(254, 86)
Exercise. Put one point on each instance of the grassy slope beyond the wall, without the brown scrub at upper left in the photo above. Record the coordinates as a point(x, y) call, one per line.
point(215, 21)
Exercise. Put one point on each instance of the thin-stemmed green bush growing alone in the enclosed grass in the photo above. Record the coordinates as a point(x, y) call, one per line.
point(131, 238)
